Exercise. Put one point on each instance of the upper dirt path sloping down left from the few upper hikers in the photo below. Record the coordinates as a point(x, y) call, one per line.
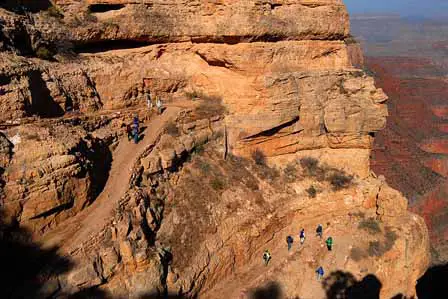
point(70, 234)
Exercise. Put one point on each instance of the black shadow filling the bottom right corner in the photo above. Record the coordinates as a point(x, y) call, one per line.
point(434, 283)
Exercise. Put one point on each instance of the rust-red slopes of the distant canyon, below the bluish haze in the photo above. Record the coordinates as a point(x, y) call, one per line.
point(412, 152)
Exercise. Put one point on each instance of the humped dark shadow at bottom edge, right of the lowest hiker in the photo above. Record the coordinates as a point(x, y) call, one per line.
point(341, 285)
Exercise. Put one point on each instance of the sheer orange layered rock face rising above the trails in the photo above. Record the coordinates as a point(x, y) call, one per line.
point(282, 69)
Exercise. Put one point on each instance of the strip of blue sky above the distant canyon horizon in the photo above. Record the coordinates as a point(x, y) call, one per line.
point(403, 7)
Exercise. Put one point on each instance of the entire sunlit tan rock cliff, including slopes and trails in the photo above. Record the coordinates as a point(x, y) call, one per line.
point(289, 79)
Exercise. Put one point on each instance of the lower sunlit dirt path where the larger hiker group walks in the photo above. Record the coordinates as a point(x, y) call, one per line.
point(287, 268)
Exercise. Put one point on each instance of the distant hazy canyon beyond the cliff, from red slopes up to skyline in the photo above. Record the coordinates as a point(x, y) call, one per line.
point(410, 152)
